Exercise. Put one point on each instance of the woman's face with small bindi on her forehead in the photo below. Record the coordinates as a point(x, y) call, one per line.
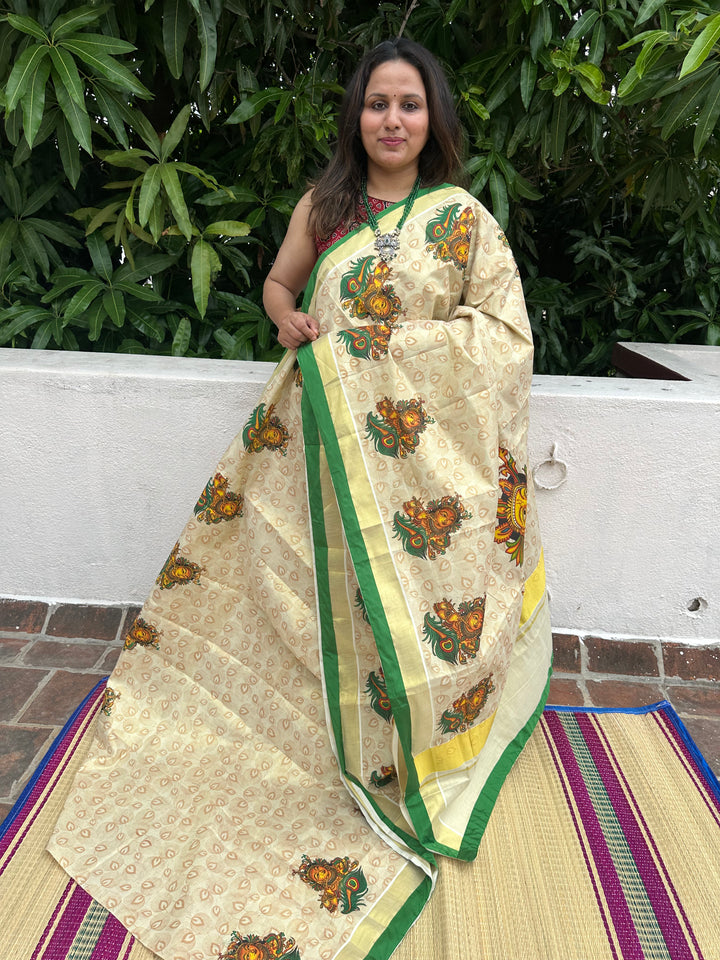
point(394, 123)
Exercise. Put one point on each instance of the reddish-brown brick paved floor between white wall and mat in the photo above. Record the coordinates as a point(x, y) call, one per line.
point(51, 656)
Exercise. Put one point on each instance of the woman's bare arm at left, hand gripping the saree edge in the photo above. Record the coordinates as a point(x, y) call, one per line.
point(287, 278)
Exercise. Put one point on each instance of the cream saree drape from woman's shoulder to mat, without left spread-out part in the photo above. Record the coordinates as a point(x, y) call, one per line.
point(435, 637)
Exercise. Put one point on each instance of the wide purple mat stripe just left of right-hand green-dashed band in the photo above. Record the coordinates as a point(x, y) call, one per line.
point(614, 895)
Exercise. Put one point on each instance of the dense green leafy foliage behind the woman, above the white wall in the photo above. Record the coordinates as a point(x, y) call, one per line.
point(151, 155)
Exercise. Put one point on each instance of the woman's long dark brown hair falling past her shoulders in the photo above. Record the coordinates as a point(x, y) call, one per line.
point(337, 193)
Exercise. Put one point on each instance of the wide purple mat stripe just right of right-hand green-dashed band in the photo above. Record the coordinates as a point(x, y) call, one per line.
point(629, 818)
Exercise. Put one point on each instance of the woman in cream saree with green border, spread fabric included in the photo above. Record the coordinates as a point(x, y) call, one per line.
point(349, 644)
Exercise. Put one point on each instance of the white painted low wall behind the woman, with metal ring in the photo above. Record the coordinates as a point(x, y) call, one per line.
point(102, 458)
